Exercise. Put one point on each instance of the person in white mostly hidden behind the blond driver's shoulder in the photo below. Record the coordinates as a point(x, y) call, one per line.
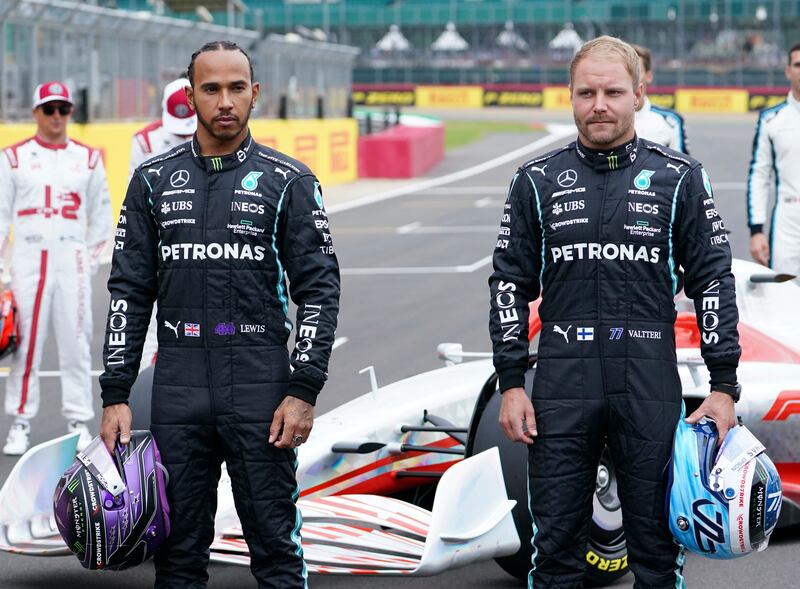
point(662, 125)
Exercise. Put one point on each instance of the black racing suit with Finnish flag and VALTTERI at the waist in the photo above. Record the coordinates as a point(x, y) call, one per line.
point(603, 236)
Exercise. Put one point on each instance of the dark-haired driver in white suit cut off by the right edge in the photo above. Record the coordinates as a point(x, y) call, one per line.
point(776, 153)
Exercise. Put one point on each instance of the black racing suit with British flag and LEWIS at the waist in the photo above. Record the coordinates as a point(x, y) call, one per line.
point(210, 239)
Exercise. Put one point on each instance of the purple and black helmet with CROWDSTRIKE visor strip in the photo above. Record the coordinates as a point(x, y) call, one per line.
point(112, 510)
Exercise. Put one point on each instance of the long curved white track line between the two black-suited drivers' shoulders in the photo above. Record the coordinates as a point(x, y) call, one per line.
point(556, 133)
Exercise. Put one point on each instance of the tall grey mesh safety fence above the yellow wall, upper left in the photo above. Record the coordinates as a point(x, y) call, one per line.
point(117, 62)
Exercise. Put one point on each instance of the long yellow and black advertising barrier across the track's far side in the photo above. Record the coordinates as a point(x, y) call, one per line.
point(684, 100)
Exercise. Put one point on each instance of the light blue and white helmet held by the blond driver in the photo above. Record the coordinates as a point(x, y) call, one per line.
point(721, 504)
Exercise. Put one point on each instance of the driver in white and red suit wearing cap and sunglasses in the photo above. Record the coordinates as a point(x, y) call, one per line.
point(53, 192)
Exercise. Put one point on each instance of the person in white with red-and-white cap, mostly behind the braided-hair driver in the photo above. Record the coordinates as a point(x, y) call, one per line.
point(177, 124)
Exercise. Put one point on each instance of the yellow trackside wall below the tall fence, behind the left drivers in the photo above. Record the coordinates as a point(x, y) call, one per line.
point(327, 146)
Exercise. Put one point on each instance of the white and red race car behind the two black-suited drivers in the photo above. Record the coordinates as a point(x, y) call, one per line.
point(372, 464)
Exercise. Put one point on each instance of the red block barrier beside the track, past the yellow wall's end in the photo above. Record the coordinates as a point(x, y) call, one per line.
point(400, 152)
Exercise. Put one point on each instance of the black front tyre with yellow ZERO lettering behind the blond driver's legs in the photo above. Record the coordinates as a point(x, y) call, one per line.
point(606, 554)
